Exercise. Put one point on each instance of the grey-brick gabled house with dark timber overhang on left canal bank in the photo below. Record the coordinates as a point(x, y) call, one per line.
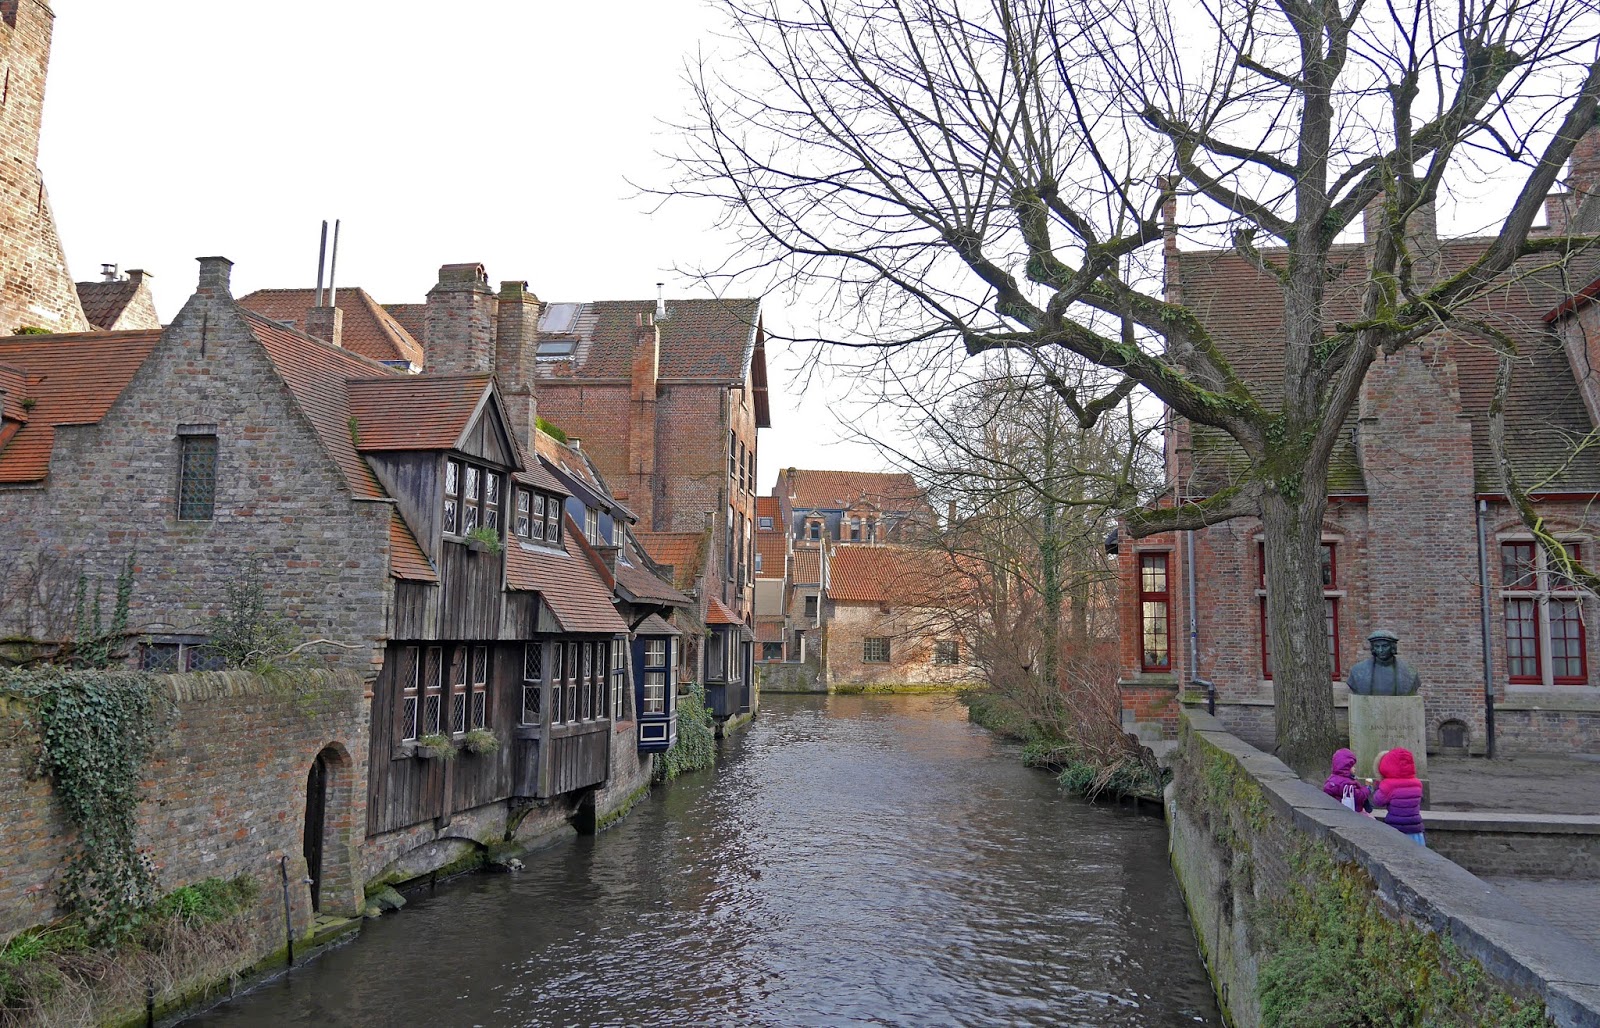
point(399, 523)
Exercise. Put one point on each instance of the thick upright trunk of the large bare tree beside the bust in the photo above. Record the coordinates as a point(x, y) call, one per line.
point(1308, 731)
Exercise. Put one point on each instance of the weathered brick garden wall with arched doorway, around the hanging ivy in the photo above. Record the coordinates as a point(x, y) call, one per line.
point(226, 793)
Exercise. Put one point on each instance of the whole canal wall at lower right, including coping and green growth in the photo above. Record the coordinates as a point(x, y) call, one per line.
point(1306, 909)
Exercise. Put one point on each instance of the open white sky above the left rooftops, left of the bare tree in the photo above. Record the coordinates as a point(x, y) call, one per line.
point(502, 132)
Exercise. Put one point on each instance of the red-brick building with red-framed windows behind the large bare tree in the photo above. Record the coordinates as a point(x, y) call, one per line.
point(1417, 518)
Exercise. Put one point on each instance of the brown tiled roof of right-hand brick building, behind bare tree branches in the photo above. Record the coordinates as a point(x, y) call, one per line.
point(1545, 412)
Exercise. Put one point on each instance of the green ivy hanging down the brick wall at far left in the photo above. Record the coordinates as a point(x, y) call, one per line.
point(97, 733)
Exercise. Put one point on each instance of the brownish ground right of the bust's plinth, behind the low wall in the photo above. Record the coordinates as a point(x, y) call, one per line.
point(1519, 785)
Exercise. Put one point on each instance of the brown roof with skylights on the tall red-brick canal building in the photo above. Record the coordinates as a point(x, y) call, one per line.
point(700, 339)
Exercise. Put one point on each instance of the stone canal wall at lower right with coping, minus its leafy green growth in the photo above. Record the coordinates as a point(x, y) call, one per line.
point(1241, 830)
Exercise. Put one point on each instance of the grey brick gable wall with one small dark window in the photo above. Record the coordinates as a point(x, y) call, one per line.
point(279, 499)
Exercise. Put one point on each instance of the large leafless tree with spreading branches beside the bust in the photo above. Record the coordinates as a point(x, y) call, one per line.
point(993, 175)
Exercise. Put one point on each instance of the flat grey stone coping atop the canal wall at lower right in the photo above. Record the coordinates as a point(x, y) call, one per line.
point(1511, 942)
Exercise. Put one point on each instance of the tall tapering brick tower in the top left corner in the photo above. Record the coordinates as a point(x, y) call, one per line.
point(36, 287)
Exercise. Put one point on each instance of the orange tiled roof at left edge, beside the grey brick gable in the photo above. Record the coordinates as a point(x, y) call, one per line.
point(73, 380)
